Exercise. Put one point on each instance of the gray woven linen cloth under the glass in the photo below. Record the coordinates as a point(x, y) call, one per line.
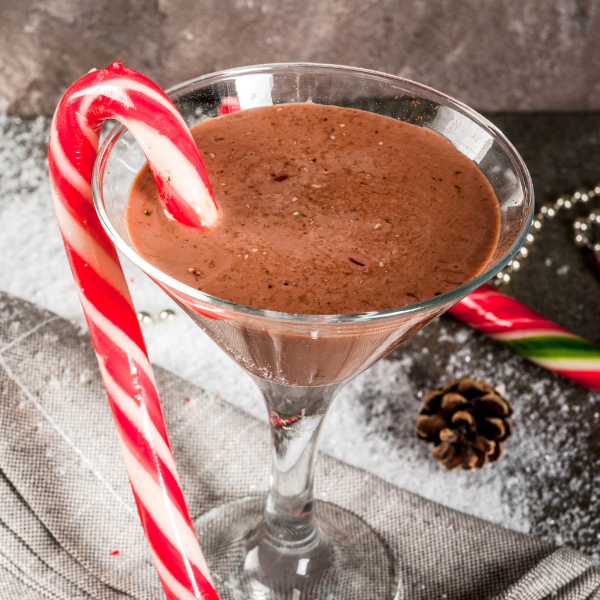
point(68, 524)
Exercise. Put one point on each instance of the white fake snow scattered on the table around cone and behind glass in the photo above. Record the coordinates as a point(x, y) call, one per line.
point(544, 484)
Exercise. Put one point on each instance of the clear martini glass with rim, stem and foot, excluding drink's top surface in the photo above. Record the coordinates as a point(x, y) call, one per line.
point(286, 545)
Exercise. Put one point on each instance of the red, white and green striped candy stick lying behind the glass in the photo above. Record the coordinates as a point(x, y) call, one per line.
point(530, 334)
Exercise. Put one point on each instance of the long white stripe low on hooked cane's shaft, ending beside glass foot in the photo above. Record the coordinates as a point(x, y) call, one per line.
point(162, 510)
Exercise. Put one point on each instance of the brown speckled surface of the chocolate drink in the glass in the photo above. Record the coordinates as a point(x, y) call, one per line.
point(324, 210)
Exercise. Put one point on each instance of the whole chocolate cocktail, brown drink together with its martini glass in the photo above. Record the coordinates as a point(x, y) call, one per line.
point(355, 208)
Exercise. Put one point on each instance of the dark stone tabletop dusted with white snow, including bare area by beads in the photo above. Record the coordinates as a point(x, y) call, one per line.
point(546, 482)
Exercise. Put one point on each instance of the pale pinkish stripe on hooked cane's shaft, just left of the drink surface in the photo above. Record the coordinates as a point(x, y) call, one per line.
point(89, 250)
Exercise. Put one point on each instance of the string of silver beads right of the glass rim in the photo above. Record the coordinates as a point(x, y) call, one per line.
point(582, 229)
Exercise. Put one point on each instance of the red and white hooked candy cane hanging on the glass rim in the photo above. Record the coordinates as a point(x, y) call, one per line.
point(122, 94)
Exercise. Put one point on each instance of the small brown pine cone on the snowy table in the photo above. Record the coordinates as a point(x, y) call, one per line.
point(467, 420)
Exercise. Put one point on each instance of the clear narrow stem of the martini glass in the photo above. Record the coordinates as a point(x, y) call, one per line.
point(295, 414)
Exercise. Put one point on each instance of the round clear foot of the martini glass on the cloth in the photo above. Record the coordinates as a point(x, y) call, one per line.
point(347, 560)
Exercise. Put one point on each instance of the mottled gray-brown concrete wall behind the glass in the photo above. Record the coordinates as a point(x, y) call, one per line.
point(496, 55)
